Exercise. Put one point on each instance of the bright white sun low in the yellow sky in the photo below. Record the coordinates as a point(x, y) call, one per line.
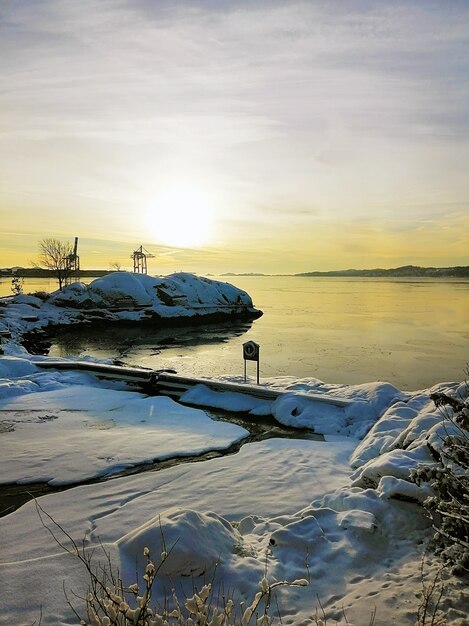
point(182, 217)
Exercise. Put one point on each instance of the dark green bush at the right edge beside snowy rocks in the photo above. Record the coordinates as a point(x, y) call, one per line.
point(449, 480)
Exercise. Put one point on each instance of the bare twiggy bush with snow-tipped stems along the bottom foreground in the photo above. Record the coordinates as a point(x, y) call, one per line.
point(108, 601)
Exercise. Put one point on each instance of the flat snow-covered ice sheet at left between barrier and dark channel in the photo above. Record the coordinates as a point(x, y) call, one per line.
point(83, 432)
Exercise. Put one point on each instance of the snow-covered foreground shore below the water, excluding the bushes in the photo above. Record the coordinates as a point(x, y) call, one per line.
point(342, 513)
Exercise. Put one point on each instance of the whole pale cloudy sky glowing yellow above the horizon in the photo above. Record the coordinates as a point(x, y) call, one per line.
point(246, 136)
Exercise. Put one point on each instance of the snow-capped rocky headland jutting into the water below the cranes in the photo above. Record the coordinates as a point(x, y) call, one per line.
point(180, 298)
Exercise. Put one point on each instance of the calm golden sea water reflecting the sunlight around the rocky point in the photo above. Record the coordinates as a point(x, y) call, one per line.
point(410, 332)
